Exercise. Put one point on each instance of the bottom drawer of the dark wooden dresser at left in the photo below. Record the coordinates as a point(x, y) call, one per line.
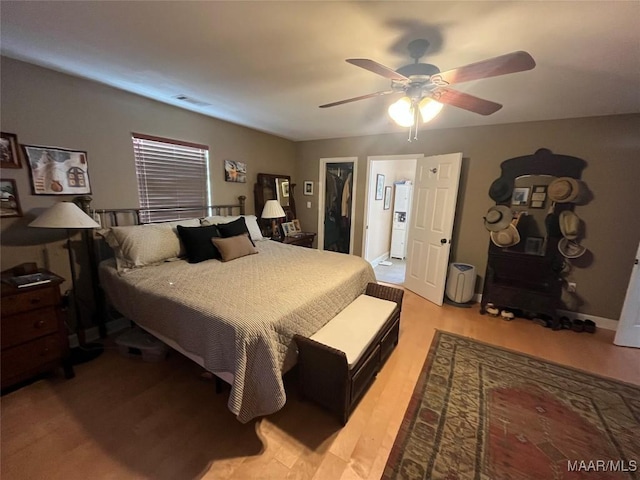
point(30, 358)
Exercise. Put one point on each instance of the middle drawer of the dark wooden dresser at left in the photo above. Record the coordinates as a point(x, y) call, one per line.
point(21, 328)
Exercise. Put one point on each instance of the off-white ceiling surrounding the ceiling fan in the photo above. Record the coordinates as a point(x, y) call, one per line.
point(269, 64)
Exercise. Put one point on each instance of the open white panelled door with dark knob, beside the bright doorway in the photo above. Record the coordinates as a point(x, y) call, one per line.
point(429, 239)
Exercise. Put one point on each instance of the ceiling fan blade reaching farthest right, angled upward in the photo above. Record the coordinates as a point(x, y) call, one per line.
point(492, 67)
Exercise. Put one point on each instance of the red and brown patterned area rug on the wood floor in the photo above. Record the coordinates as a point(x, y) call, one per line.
point(482, 412)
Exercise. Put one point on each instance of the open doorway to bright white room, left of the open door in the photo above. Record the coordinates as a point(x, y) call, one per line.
point(383, 225)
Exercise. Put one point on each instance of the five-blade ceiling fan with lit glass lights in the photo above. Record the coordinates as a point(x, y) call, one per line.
point(426, 88)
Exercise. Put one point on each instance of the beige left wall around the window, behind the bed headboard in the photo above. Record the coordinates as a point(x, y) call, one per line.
point(44, 107)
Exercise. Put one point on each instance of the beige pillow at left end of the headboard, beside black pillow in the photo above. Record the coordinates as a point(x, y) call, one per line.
point(141, 245)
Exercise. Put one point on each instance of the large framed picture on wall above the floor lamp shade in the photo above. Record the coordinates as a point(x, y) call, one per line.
point(58, 171)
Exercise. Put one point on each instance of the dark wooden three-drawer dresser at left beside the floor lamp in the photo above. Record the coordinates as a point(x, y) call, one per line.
point(34, 338)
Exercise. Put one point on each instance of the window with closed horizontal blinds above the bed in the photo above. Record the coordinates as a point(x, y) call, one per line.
point(173, 178)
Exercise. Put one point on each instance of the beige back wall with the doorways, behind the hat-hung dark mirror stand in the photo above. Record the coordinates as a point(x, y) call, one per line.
point(609, 145)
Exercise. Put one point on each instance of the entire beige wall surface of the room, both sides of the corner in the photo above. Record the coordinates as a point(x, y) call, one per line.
point(49, 108)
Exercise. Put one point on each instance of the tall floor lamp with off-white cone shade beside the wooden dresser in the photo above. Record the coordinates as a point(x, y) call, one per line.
point(69, 216)
